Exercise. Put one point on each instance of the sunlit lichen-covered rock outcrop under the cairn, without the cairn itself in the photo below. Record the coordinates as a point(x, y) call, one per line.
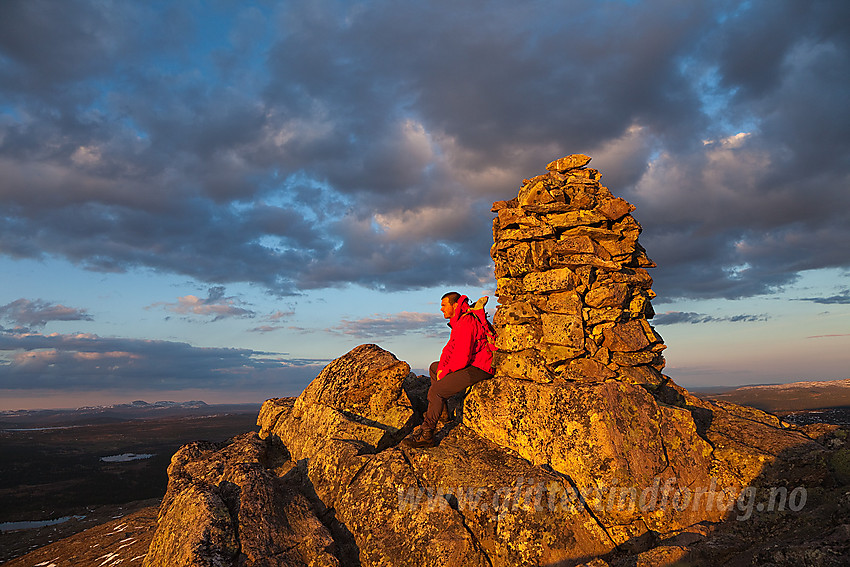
point(324, 484)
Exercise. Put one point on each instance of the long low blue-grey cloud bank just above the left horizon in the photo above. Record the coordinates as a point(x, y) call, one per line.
point(84, 361)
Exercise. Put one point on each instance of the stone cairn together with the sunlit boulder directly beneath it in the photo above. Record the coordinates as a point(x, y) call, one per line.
point(574, 338)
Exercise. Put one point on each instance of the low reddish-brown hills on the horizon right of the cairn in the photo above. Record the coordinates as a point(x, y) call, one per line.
point(788, 397)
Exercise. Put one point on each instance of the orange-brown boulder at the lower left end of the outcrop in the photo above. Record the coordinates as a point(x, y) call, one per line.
point(231, 504)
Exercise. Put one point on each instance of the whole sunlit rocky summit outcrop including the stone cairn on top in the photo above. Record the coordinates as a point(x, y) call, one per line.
point(578, 449)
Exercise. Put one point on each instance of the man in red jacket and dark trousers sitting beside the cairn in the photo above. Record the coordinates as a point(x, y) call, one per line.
point(465, 360)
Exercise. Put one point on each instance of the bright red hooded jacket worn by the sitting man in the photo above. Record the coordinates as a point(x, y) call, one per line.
point(467, 344)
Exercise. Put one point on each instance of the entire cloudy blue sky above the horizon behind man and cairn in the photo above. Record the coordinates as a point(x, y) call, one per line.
point(213, 199)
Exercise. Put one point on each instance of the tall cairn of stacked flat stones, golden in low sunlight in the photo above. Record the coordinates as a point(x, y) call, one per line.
point(574, 294)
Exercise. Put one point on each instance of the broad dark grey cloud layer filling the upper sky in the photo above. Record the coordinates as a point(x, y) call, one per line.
point(318, 144)
